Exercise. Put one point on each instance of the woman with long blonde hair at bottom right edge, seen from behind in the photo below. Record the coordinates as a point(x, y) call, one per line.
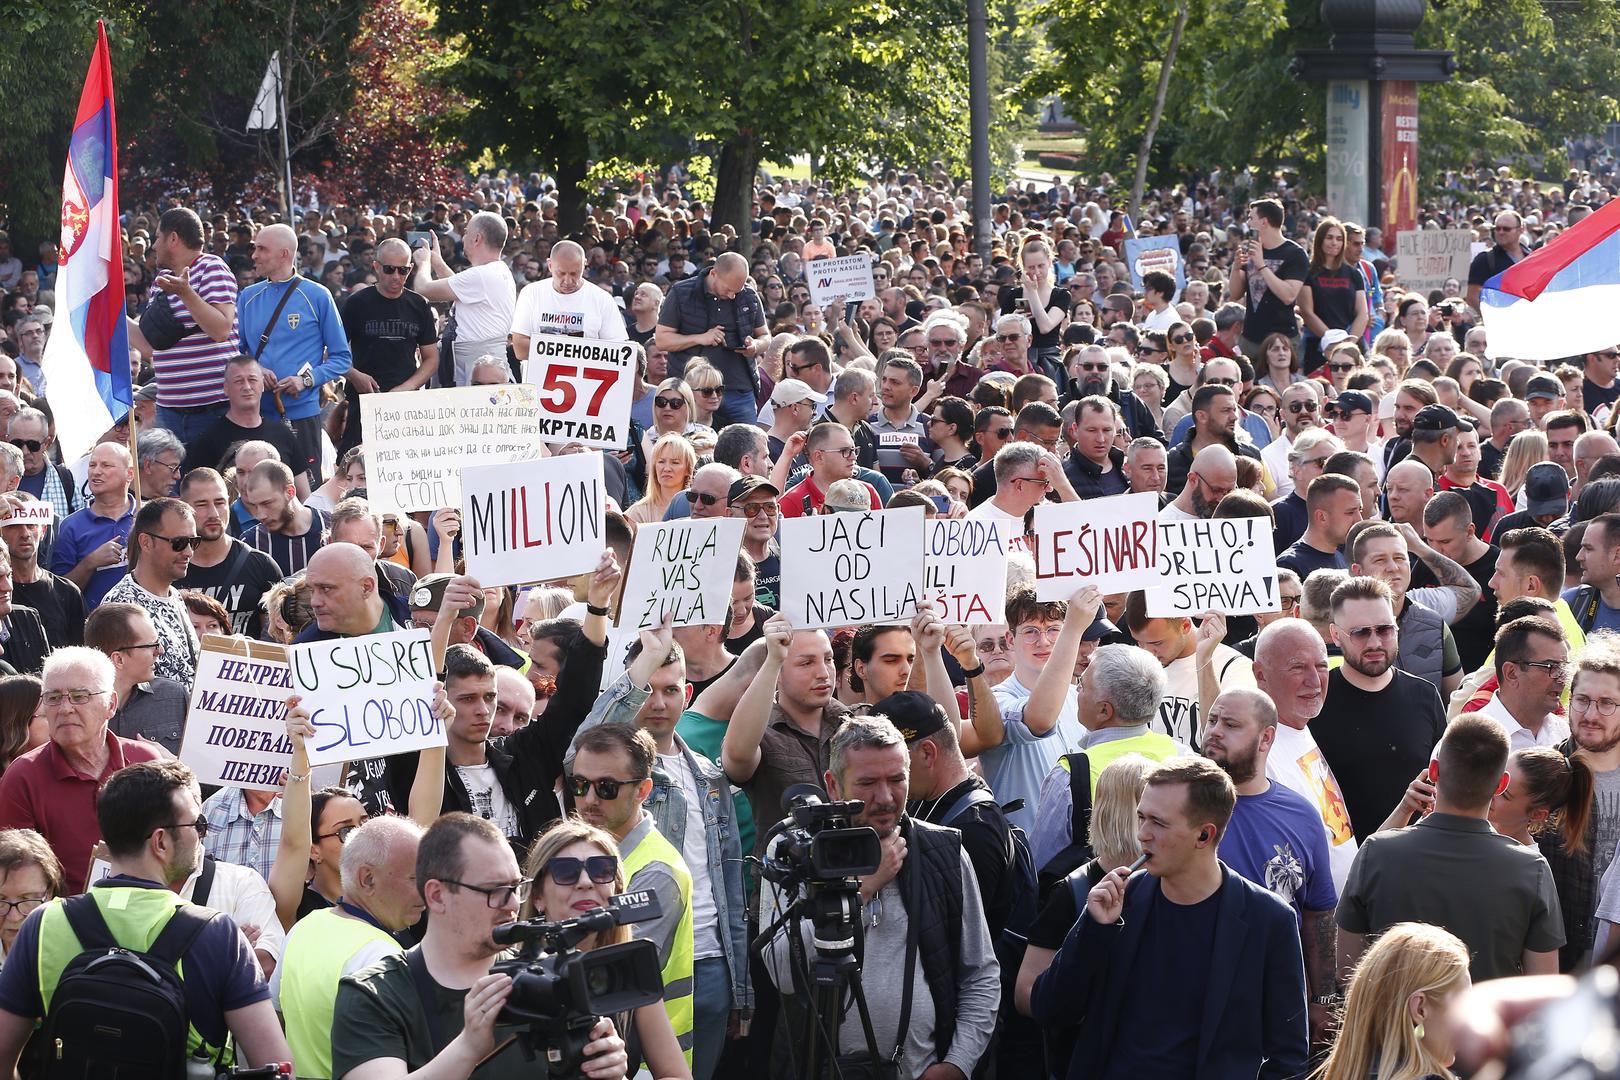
point(1394, 1024)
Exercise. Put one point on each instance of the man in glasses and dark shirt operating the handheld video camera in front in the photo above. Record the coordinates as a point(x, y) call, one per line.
point(433, 1011)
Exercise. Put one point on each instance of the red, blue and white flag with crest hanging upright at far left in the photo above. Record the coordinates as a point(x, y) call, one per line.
point(88, 355)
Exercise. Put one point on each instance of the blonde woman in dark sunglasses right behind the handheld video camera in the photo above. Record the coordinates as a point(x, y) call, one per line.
point(574, 869)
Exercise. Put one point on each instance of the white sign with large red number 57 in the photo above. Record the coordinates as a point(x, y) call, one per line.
point(584, 389)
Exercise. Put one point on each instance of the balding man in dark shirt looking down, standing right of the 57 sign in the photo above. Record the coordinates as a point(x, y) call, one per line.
point(718, 317)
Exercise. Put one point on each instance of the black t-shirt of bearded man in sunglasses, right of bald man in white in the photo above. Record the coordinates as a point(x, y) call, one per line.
point(1378, 742)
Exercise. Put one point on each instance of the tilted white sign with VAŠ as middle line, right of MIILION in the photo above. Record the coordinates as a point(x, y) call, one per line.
point(683, 569)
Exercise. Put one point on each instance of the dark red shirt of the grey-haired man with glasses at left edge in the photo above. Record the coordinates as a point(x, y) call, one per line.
point(43, 793)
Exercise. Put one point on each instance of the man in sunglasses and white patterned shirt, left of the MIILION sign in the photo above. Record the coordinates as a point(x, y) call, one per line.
point(161, 543)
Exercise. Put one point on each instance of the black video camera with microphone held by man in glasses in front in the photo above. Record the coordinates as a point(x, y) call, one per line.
point(561, 993)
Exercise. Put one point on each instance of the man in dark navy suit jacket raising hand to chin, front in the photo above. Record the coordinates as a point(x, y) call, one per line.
point(1203, 977)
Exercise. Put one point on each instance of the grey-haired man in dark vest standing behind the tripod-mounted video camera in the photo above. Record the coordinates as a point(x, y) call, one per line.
point(929, 901)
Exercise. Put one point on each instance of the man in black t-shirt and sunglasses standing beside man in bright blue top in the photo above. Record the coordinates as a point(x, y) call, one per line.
point(393, 336)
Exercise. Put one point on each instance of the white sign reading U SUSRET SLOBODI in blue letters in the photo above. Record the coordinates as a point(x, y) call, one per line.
point(369, 697)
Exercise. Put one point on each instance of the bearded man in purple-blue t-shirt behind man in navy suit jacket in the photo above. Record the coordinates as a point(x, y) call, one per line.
point(1276, 838)
